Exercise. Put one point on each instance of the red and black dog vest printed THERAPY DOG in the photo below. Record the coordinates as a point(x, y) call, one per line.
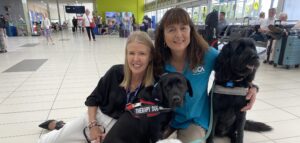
point(145, 109)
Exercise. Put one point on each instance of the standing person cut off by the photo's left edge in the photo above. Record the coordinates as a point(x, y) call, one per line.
point(3, 36)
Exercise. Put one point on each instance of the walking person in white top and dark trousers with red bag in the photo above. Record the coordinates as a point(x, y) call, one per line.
point(89, 24)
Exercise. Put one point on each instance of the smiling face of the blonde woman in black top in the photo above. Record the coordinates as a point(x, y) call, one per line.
point(138, 58)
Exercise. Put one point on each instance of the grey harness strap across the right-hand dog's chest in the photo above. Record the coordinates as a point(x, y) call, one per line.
point(241, 91)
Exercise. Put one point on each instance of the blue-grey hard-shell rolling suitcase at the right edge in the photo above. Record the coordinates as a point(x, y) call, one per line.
point(287, 50)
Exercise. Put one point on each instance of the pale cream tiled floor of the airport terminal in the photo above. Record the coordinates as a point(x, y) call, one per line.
point(73, 67)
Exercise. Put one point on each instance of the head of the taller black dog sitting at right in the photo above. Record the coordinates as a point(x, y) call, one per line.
point(238, 60)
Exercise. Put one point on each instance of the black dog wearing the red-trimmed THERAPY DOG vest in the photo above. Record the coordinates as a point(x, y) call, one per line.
point(138, 126)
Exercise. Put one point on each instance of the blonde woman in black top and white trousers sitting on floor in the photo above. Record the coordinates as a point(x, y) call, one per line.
point(120, 85)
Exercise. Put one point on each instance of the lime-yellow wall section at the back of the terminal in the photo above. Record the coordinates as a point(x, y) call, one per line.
point(134, 6)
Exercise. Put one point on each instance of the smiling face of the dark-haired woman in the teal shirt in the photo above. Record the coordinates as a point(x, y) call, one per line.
point(177, 37)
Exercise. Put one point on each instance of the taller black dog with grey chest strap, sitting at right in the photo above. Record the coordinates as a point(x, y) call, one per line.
point(235, 70)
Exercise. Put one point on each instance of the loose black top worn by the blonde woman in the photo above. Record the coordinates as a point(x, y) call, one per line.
point(109, 96)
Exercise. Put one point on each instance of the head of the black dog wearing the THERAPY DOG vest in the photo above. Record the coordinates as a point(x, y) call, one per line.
point(171, 89)
